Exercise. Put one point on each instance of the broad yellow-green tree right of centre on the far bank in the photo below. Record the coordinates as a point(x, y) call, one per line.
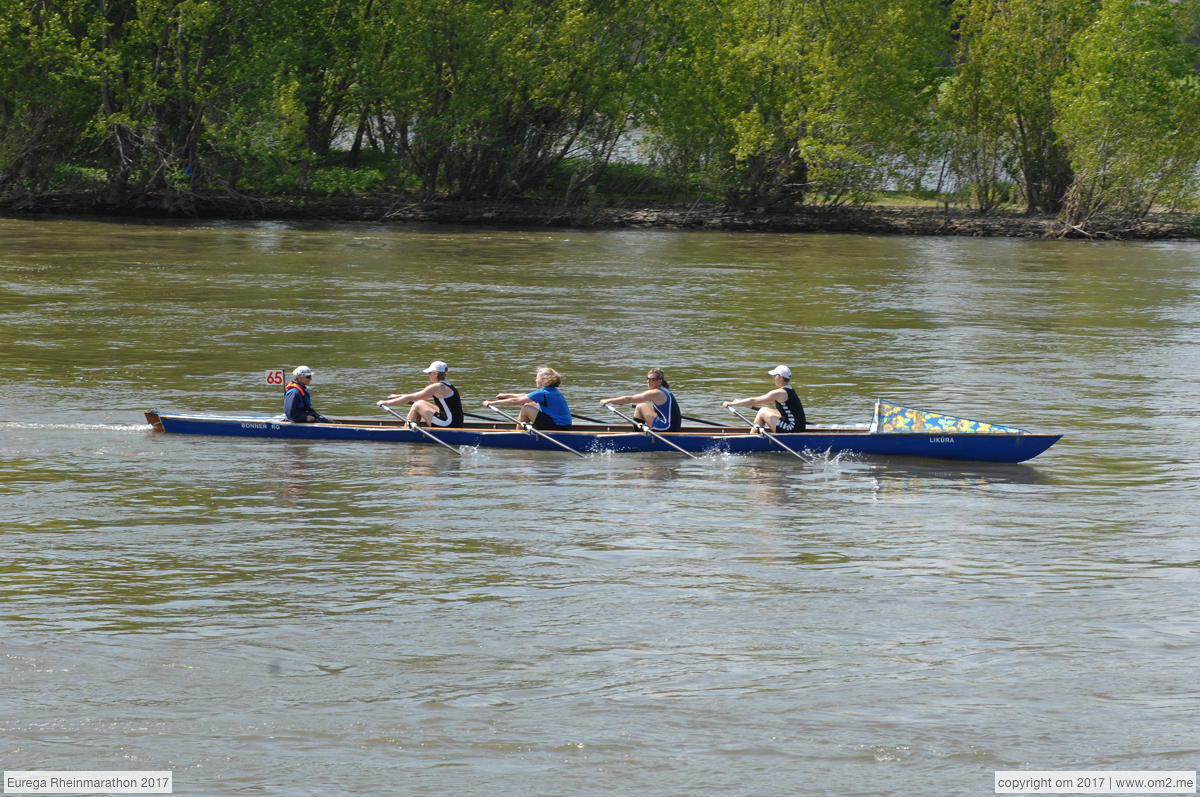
point(782, 100)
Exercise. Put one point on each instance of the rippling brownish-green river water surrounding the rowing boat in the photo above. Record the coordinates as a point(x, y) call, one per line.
point(332, 619)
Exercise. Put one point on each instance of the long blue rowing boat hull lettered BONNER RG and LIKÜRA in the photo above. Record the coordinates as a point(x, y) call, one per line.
point(591, 439)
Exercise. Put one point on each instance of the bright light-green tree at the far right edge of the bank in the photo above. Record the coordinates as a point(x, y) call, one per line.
point(1129, 111)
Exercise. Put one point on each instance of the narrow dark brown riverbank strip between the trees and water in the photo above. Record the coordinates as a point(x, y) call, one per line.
point(881, 220)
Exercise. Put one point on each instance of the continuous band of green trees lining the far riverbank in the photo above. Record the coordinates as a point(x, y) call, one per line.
point(1088, 106)
